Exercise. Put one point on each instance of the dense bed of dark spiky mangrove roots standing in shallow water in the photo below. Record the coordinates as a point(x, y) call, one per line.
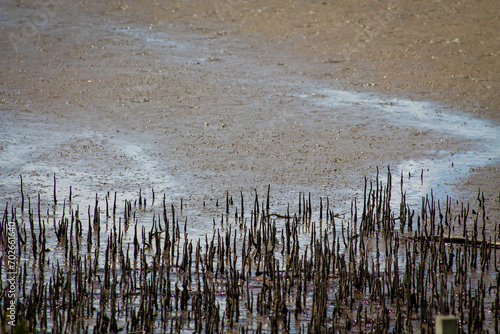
point(136, 266)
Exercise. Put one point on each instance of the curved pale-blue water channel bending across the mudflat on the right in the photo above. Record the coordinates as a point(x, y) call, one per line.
point(421, 118)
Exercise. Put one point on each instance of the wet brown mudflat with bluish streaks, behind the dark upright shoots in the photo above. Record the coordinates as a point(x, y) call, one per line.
point(194, 98)
